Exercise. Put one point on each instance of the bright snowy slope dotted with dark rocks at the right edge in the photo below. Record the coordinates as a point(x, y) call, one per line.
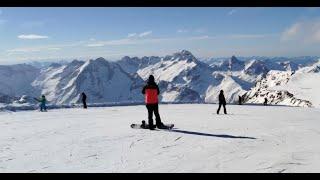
point(288, 88)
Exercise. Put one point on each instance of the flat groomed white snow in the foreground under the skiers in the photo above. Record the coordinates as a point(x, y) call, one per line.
point(249, 139)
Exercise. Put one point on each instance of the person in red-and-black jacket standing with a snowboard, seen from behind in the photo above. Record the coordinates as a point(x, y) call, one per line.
point(151, 92)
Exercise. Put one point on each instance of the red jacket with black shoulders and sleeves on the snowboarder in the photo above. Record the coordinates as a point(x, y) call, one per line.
point(151, 92)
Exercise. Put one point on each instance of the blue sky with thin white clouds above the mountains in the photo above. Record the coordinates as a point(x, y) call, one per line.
point(113, 32)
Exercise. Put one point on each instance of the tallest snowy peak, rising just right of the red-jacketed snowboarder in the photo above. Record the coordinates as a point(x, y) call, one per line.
point(177, 76)
